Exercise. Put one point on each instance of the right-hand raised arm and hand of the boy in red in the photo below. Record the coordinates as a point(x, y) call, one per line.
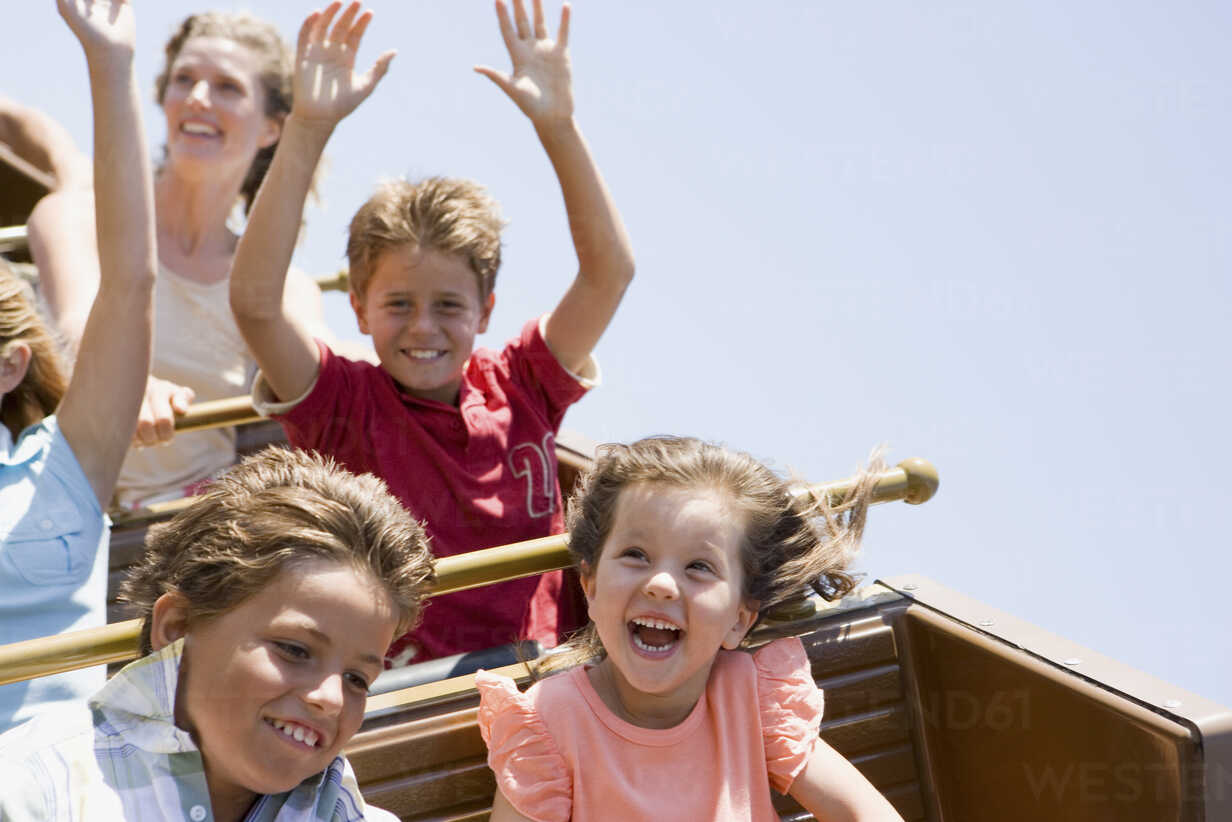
point(541, 87)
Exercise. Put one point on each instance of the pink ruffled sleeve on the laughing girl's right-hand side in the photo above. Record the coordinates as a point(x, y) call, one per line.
point(792, 709)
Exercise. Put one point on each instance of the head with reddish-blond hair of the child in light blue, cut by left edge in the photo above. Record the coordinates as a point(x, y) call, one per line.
point(33, 375)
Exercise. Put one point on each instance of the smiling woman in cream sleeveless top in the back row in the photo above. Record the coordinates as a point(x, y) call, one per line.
point(225, 92)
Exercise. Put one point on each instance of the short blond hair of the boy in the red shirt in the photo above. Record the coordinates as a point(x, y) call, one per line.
point(445, 215)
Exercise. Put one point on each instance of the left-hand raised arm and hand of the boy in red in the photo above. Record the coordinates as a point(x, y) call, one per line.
point(326, 91)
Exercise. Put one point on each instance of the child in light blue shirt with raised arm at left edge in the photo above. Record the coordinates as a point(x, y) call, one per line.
point(62, 442)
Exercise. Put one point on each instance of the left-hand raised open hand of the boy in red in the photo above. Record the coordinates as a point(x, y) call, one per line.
point(327, 88)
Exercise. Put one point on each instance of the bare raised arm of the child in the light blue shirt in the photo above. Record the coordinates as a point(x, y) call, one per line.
point(99, 412)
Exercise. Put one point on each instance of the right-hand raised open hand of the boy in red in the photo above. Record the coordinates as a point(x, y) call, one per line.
point(541, 82)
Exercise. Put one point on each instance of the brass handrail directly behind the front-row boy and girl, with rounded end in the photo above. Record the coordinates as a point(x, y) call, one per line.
point(914, 481)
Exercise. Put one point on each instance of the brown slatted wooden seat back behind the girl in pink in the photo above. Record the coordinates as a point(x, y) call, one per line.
point(424, 759)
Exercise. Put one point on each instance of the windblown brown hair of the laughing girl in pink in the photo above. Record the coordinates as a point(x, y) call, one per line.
point(793, 539)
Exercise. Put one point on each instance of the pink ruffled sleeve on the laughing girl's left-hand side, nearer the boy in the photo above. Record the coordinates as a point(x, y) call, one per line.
point(529, 767)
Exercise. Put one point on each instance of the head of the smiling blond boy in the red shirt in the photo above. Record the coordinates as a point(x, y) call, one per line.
point(424, 261)
